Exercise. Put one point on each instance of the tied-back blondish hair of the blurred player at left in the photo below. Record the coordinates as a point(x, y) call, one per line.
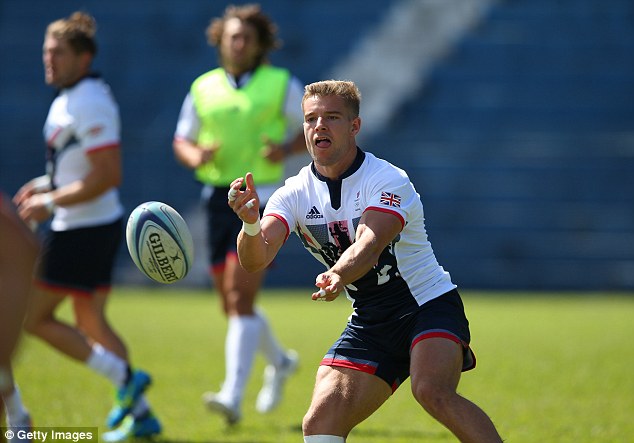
point(78, 30)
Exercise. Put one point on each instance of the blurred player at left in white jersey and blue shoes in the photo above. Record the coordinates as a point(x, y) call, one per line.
point(80, 191)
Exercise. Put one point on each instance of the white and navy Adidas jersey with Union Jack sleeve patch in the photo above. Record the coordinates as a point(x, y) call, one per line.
point(325, 214)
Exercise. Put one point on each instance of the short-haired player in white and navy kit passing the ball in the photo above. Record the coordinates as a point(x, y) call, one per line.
point(363, 219)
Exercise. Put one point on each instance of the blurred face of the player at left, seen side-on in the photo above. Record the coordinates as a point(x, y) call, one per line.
point(62, 66)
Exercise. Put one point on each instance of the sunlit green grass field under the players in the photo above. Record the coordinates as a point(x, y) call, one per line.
point(552, 367)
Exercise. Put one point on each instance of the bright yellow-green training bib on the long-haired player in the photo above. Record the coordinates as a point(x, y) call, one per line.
point(240, 120)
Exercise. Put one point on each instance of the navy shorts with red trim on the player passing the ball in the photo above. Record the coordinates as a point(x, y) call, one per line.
point(384, 349)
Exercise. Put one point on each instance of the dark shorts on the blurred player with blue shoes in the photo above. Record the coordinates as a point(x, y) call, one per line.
point(80, 261)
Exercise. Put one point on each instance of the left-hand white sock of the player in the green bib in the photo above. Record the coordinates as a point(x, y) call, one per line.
point(241, 345)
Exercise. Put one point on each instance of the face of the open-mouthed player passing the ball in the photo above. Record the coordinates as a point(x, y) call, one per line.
point(330, 130)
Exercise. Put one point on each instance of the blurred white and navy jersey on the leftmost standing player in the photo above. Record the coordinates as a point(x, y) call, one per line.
point(82, 119)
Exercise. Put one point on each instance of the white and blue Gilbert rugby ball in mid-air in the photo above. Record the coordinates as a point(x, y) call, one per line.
point(160, 242)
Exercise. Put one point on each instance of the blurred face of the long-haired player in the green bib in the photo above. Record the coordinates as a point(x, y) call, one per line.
point(239, 46)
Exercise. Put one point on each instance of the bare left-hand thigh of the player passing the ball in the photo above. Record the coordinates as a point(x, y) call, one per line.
point(342, 399)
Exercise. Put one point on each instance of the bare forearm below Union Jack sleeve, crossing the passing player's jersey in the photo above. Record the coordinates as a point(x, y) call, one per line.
point(376, 230)
